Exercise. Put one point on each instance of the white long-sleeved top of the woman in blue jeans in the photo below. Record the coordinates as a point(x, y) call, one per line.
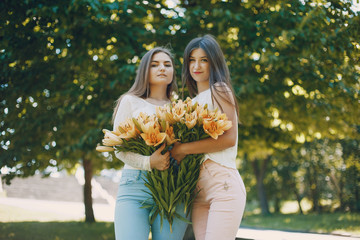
point(131, 106)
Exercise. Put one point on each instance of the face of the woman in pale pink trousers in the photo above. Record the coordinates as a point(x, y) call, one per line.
point(199, 65)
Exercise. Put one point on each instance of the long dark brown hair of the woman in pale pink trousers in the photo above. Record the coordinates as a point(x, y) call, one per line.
point(219, 79)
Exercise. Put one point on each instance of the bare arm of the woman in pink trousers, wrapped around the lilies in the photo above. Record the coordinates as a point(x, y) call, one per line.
point(228, 139)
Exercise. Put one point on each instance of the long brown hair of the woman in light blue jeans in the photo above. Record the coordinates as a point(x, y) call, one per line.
point(141, 86)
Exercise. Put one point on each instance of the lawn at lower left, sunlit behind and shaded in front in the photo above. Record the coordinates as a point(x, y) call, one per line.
point(21, 224)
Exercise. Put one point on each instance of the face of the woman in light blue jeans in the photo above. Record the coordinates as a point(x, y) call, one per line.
point(161, 69)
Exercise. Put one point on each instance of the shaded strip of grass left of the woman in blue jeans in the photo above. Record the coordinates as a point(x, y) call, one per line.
point(57, 231)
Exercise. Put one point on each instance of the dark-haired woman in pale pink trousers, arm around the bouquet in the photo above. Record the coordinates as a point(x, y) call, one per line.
point(219, 206)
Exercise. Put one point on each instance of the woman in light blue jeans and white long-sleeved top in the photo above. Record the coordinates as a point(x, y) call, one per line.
point(154, 82)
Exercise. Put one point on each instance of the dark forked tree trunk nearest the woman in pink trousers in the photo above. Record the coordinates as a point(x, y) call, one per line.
point(260, 175)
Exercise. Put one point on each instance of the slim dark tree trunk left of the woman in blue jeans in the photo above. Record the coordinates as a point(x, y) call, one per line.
point(88, 172)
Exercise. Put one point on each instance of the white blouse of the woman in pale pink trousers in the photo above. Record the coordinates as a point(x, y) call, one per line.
point(226, 157)
